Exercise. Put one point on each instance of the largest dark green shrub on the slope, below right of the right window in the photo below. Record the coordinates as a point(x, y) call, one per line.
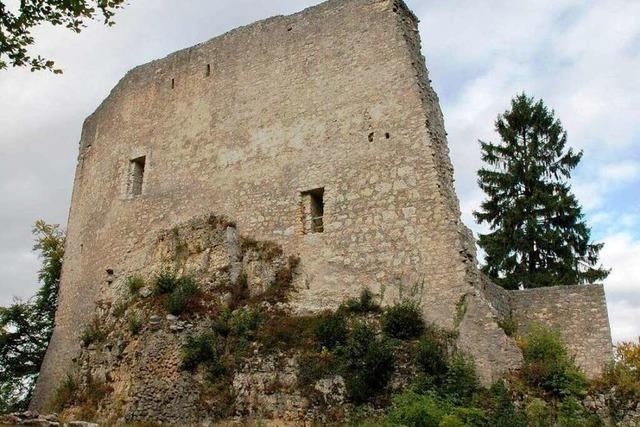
point(367, 363)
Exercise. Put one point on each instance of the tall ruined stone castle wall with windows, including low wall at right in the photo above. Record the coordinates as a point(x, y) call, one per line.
point(318, 131)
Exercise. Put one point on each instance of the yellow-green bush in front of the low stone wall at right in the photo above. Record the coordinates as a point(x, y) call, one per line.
point(547, 363)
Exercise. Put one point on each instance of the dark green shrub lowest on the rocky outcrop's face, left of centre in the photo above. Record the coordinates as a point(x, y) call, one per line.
point(202, 350)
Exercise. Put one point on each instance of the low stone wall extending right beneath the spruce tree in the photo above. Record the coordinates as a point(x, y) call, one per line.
point(578, 312)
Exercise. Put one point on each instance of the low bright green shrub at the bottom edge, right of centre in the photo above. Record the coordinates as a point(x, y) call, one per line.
point(410, 409)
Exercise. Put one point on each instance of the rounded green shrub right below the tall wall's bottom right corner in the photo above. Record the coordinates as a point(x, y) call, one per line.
point(460, 381)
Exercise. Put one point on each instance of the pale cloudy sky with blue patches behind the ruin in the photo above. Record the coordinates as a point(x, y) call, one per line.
point(581, 57)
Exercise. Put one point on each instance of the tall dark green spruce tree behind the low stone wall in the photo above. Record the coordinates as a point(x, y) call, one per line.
point(538, 236)
